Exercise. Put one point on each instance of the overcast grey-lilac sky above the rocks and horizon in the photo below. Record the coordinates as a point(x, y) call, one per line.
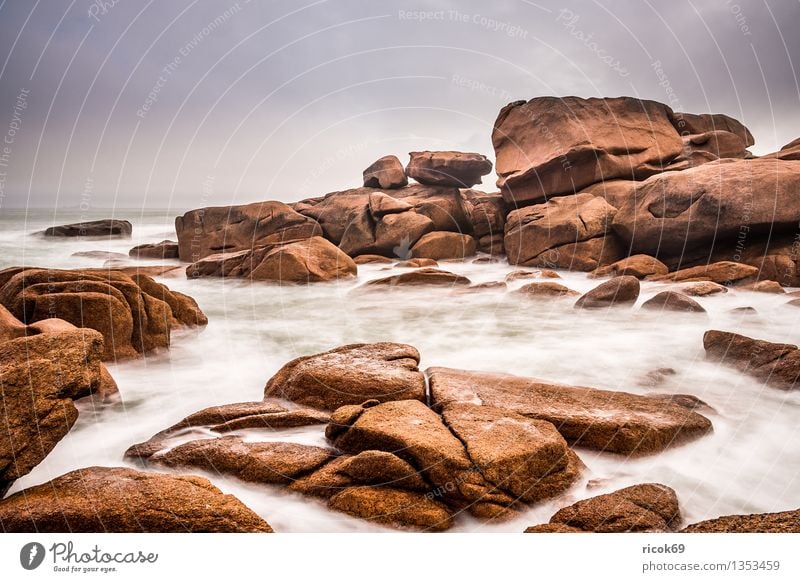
point(193, 103)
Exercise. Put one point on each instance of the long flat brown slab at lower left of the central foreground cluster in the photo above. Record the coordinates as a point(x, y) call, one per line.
point(255, 462)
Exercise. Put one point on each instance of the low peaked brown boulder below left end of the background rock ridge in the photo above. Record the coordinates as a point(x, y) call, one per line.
point(312, 260)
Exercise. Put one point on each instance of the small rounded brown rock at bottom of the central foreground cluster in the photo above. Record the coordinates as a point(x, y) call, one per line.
point(393, 507)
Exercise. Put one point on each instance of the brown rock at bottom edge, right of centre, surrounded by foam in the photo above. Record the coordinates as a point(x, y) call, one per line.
point(650, 507)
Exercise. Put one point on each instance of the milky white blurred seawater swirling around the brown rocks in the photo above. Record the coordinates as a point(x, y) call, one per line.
point(751, 463)
